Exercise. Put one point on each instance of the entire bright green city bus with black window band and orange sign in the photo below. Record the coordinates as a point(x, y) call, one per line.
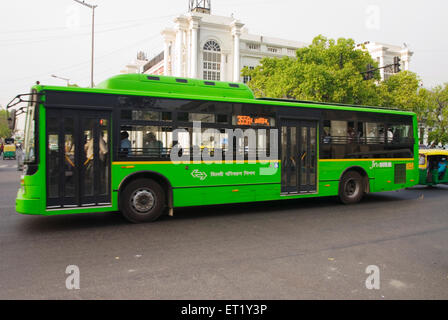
point(145, 145)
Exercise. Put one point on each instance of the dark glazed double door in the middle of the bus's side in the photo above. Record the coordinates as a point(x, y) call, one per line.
point(299, 156)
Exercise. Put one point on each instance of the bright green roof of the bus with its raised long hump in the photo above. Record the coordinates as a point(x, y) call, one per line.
point(187, 88)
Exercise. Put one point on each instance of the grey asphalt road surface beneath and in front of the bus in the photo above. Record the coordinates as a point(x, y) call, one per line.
point(305, 249)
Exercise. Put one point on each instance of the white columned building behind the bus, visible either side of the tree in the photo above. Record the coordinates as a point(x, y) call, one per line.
point(211, 47)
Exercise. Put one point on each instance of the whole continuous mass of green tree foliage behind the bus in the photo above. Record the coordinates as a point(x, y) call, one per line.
point(331, 71)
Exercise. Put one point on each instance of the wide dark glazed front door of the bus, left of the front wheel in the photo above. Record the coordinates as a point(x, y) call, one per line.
point(78, 158)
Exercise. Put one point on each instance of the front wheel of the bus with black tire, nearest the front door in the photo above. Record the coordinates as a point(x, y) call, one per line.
point(142, 200)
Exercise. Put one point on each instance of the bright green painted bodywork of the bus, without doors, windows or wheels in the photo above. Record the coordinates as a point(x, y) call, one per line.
point(221, 183)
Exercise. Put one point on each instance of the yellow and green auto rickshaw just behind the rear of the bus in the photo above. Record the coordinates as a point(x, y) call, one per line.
point(433, 166)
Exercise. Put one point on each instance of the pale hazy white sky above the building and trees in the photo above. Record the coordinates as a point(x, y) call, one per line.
point(41, 38)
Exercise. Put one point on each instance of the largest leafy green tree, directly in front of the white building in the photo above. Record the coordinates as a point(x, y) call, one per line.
point(326, 71)
